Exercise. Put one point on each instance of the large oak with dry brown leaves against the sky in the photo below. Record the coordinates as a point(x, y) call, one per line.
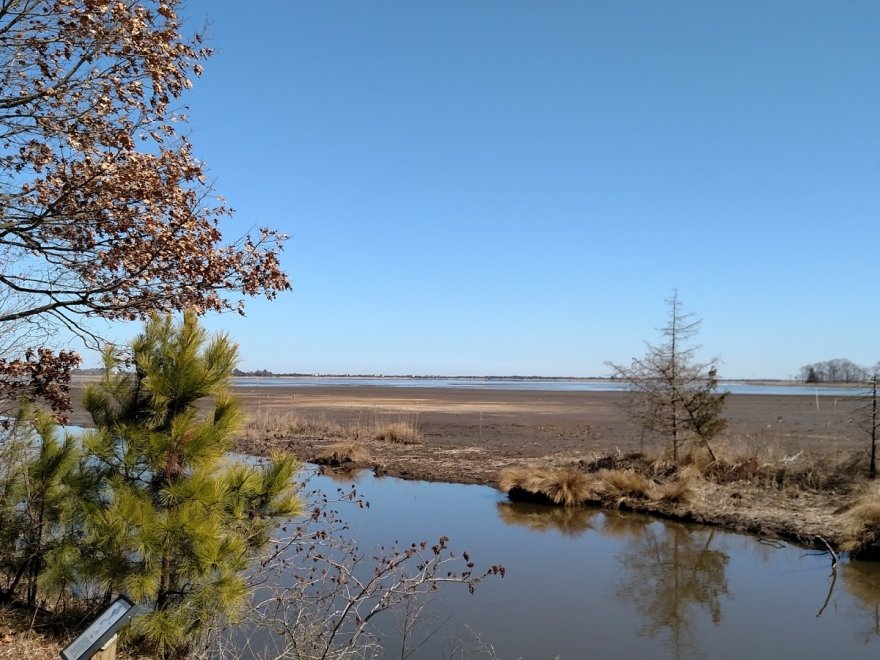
point(104, 209)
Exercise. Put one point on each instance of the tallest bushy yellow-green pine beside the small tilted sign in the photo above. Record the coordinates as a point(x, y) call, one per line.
point(176, 523)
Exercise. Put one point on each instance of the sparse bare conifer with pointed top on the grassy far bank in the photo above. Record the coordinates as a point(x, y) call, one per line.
point(676, 396)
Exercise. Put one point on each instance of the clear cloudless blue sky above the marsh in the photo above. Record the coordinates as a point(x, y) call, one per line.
point(504, 187)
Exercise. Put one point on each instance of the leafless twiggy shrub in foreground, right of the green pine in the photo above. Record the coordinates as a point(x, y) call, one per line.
point(316, 594)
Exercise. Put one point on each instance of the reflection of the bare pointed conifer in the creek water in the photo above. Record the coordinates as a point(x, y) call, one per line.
point(670, 573)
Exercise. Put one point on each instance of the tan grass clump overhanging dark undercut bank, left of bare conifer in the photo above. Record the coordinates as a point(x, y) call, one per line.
point(564, 486)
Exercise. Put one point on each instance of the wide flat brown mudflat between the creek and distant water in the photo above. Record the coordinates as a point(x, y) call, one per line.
point(469, 434)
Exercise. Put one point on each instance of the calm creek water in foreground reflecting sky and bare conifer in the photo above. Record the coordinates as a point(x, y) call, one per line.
point(585, 583)
